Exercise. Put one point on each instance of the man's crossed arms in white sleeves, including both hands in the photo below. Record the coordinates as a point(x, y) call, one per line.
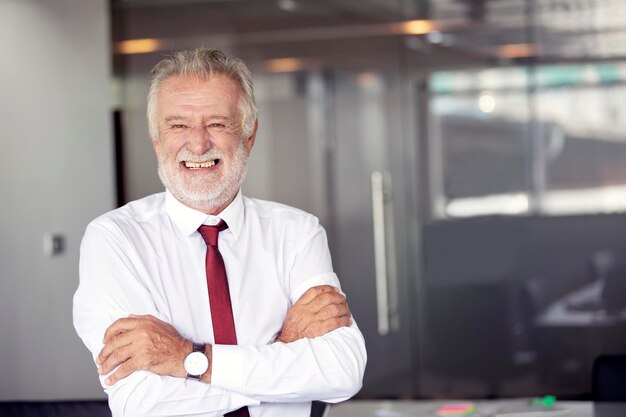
point(318, 355)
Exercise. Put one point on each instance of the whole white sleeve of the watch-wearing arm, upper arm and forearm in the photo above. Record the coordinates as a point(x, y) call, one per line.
point(328, 368)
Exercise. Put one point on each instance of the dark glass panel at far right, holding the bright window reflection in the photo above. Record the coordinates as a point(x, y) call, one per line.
point(524, 162)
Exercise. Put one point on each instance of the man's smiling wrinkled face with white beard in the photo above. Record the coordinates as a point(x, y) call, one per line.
point(201, 153)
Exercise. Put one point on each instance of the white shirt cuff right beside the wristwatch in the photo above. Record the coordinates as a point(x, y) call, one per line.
point(228, 367)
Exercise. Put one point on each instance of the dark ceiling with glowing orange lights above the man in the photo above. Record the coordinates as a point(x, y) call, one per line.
point(364, 33)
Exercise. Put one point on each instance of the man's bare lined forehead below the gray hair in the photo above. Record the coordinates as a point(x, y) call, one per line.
point(217, 93)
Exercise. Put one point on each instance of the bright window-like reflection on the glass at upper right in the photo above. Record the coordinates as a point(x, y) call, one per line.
point(555, 132)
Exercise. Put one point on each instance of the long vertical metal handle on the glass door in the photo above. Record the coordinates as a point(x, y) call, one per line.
point(386, 302)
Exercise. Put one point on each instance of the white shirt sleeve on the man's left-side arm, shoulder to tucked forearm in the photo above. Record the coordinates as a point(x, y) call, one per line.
point(110, 289)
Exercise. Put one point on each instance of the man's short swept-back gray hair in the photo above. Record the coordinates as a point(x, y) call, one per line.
point(203, 62)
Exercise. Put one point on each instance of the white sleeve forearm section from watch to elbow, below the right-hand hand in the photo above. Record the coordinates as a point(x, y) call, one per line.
point(327, 368)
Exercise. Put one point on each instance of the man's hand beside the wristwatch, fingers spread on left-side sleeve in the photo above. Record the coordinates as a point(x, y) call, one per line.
point(142, 343)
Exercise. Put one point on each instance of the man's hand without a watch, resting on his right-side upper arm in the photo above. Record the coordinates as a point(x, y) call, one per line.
point(320, 310)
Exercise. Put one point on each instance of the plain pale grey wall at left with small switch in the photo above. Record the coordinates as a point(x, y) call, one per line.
point(56, 174)
